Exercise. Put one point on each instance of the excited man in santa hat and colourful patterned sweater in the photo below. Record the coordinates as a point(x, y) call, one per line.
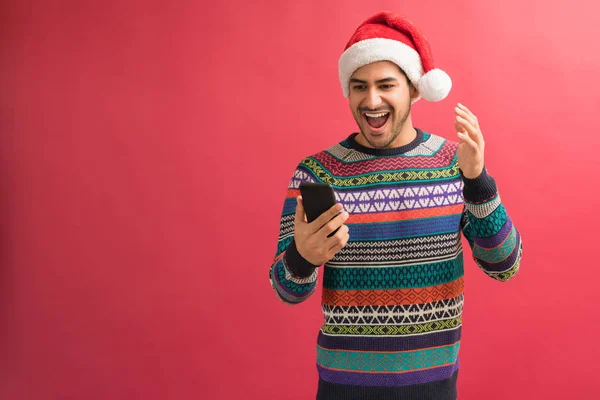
point(393, 272)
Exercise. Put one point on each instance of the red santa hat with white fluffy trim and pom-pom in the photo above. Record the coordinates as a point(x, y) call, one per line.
point(388, 36)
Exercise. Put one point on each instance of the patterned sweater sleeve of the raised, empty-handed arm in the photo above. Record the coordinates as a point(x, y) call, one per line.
point(493, 238)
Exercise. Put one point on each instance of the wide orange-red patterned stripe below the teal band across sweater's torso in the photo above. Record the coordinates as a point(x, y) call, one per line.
point(393, 297)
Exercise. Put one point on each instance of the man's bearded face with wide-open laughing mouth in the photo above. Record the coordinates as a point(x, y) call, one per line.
point(380, 100)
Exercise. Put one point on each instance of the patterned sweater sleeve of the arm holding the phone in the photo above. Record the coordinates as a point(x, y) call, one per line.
point(292, 277)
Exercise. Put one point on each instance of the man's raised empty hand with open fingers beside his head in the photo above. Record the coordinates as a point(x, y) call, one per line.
point(471, 143)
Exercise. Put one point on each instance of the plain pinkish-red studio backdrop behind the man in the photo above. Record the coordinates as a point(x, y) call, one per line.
point(145, 152)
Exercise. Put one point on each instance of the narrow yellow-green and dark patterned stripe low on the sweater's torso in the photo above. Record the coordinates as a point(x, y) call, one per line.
point(396, 330)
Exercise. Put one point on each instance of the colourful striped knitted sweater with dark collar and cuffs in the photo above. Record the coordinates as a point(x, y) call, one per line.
point(393, 296)
